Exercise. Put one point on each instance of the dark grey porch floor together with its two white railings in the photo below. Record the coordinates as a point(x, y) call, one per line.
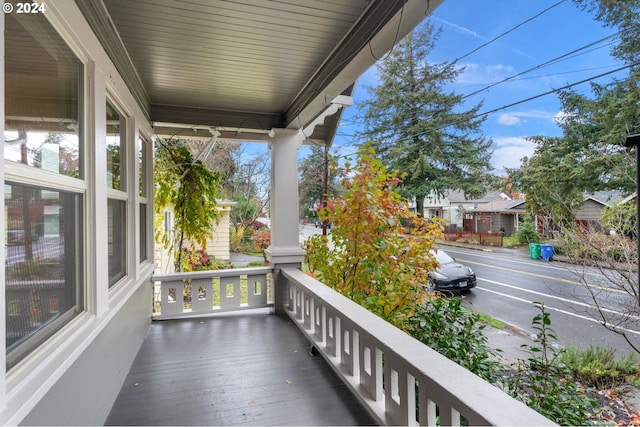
point(234, 356)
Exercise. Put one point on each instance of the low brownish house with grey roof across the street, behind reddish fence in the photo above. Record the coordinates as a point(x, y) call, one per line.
point(498, 216)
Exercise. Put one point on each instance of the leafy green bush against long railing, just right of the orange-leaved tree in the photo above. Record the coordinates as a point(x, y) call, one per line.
point(455, 332)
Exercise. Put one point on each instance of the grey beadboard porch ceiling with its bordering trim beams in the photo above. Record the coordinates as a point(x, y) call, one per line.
point(247, 65)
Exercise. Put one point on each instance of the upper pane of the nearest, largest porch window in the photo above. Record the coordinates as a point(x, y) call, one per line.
point(43, 93)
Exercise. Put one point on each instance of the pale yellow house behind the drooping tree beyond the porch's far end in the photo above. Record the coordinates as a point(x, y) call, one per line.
point(218, 245)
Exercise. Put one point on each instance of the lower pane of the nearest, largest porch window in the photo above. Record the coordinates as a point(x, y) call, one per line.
point(43, 265)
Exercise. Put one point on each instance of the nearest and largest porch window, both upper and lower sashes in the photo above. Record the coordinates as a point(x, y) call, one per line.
point(44, 264)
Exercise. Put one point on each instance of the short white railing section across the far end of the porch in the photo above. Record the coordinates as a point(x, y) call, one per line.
point(214, 291)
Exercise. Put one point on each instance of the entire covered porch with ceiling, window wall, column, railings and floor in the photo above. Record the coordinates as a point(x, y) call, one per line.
point(108, 76)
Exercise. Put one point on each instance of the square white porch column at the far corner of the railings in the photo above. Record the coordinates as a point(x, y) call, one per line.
point(285, 250)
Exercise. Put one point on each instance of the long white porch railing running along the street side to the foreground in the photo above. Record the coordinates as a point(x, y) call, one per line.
point(385, 367)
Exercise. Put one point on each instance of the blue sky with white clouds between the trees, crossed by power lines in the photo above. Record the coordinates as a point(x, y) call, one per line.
point(468, 24)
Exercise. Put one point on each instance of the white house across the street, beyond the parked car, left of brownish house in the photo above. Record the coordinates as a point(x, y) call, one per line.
point(453, 206)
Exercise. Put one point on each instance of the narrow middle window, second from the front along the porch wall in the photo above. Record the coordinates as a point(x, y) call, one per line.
point(117, 201)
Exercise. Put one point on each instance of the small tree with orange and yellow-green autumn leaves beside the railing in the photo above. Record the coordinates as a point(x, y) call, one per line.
point(370, 257)
